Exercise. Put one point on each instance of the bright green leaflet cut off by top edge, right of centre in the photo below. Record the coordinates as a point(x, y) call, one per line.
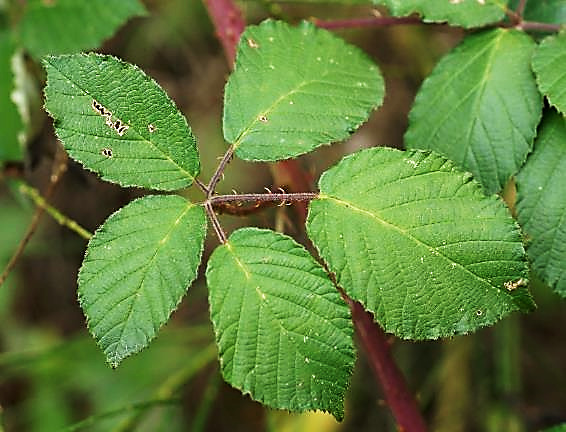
point(465, 13)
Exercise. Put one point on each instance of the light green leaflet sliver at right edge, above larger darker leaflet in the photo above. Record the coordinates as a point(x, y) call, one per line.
point(549, 64)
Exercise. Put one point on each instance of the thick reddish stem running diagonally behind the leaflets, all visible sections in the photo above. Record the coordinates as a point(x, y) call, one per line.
point(229, 25)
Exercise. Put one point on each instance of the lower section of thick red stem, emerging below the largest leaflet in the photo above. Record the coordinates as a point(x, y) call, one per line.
point(400, 400)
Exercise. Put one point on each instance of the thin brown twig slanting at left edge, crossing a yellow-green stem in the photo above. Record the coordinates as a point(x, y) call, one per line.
point(58, 169)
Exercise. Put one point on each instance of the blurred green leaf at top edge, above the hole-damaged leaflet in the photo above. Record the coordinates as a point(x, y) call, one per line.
point(67, 26)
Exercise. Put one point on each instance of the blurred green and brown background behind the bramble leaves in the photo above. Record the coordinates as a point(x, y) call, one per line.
point(511, 377)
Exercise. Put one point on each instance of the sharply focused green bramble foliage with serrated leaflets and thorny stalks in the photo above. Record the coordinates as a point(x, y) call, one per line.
point(420, 237)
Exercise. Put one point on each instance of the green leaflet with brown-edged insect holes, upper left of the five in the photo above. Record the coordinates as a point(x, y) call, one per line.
point(119, 123)
